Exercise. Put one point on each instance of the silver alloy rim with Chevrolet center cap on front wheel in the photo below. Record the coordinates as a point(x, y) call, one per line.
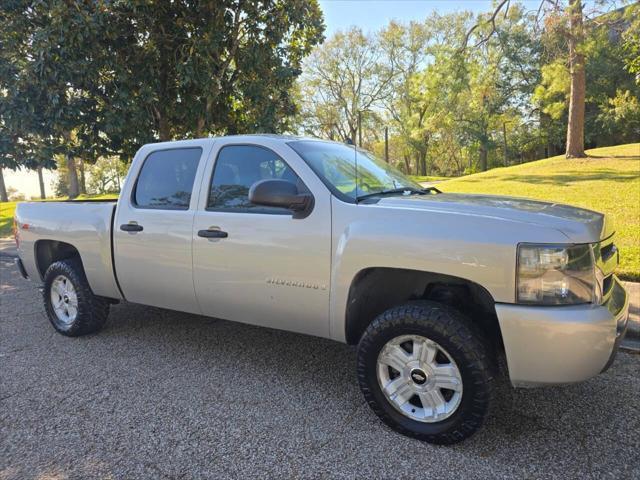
point(419, 378)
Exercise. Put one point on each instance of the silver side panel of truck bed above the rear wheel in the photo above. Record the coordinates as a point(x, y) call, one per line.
point(84, 224)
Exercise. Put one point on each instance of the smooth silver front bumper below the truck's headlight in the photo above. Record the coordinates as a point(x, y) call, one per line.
point(555, 345)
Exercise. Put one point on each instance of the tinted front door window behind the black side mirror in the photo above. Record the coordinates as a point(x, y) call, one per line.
point(237, 168)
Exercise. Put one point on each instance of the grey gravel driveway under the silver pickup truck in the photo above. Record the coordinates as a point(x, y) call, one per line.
point(159, 394)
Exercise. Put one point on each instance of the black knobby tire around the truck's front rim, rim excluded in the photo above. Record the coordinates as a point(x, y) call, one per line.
point(461, 340)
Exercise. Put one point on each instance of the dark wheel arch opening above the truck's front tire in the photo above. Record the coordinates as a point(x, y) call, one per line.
point(376, 289)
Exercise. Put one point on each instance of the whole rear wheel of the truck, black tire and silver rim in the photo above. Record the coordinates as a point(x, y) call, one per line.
point(71, 306)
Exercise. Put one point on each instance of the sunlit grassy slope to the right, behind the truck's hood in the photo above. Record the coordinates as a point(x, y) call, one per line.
point(607, 181)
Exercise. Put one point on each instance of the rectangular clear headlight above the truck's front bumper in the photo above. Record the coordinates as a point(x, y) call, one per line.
point(555, 274)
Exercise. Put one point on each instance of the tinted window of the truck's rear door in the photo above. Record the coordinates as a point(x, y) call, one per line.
point(166, 179)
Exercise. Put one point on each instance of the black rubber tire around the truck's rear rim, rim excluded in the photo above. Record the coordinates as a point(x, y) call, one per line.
point(92, 310)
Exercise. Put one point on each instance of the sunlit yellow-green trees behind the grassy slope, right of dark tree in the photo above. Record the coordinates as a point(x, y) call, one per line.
point(503, 99)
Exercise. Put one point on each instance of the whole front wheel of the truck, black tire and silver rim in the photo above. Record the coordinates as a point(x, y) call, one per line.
point(425, 371)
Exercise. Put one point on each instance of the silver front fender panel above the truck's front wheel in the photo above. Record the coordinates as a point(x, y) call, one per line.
point(478, 249)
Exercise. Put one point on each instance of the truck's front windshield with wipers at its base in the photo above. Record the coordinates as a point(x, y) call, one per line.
point(335, 164)
